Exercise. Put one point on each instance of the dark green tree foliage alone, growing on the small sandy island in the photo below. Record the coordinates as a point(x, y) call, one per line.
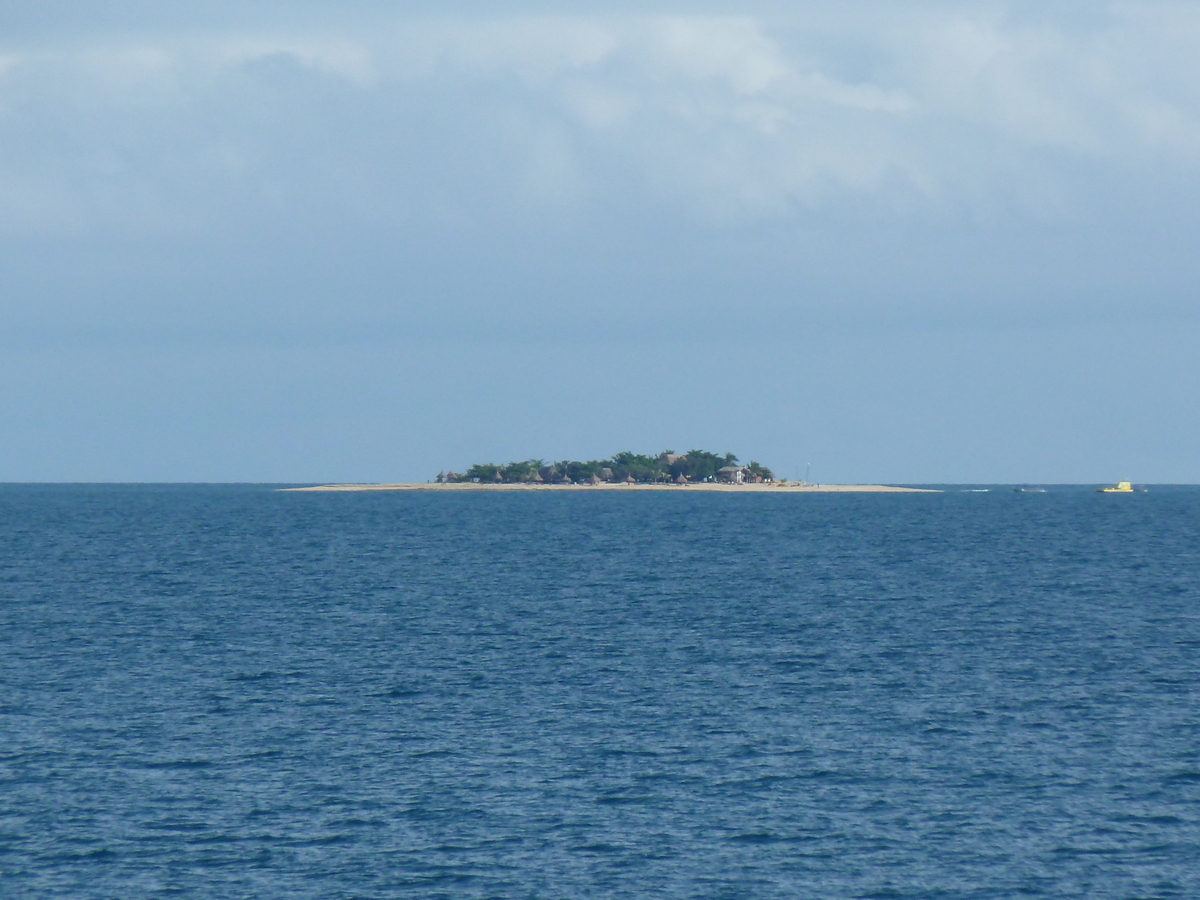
point(695, 466)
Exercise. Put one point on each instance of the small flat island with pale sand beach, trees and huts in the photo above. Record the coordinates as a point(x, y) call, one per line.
point(695, 470)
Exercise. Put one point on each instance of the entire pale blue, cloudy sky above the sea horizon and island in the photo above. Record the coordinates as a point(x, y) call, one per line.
point(895, 242)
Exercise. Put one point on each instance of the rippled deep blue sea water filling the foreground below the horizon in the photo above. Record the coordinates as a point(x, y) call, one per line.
point(227, 692)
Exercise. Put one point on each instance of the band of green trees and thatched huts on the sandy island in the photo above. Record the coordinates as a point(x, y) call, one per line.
point(627, 467)
